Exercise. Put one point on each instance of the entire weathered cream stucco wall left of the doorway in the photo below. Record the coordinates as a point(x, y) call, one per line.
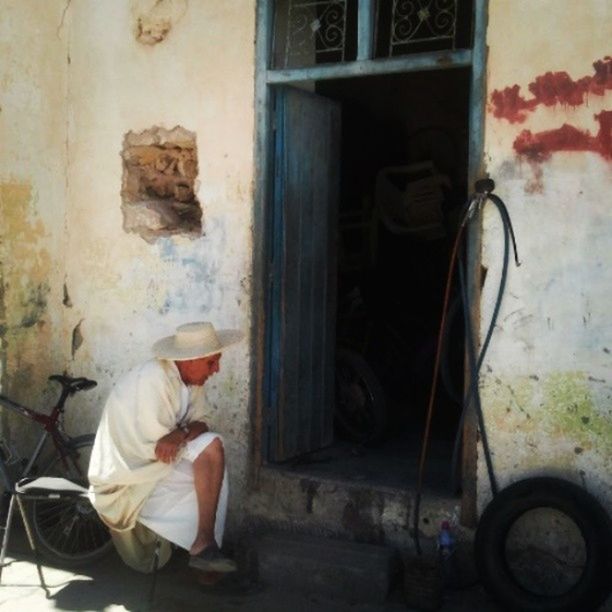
point(77, 90)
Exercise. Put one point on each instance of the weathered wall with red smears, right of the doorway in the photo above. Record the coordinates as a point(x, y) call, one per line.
point(547, 381)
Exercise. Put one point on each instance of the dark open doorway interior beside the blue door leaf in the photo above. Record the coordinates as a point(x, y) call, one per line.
point(403, 167)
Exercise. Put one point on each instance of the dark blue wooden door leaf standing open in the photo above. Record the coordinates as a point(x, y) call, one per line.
point(302, 300)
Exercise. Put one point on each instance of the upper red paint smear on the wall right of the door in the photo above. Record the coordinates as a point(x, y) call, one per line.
point(550, 89)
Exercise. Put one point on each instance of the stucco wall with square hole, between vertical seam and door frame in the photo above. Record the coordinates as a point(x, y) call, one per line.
point(126, 292)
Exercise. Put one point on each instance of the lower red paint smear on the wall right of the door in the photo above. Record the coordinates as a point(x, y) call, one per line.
point(540, 146)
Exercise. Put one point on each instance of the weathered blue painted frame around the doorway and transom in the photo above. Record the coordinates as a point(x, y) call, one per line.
point(266, 80)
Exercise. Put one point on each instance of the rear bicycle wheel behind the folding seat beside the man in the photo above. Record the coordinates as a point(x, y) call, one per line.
point(69, 532)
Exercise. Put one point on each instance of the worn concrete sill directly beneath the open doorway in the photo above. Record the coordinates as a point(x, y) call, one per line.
point(323, 507)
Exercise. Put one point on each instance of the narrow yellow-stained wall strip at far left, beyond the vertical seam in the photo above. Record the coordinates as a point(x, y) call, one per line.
point(33, 87)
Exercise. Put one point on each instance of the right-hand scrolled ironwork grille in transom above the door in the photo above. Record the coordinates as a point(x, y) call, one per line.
point(419, 21)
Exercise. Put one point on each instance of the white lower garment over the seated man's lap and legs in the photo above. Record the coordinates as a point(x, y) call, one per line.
point(172, 508)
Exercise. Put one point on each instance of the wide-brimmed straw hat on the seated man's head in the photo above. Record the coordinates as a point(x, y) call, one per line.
point(195, 340)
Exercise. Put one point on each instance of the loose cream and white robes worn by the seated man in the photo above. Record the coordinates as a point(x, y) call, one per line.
point(128, 483)
